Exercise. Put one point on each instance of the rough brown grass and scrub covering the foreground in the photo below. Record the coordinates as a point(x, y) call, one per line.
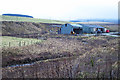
point(94, 55)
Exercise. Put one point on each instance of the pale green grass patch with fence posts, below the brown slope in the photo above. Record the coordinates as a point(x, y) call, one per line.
point(13, 41)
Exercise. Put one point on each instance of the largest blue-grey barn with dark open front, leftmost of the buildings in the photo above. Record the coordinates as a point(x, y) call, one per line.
point(70, 29)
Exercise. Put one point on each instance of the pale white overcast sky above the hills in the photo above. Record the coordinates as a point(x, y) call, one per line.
point(62, 9)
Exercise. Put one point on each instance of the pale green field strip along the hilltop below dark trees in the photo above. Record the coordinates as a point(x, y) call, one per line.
point(25, 19)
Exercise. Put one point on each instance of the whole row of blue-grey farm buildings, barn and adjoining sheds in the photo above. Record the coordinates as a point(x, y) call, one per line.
point(80, 28)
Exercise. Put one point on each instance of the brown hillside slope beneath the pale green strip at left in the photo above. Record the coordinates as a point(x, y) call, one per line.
point(14, 28)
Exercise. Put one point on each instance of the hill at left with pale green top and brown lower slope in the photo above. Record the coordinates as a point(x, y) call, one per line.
point(12, 25)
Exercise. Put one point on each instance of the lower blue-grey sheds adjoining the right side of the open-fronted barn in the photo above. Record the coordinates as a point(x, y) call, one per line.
point(92, 28)
